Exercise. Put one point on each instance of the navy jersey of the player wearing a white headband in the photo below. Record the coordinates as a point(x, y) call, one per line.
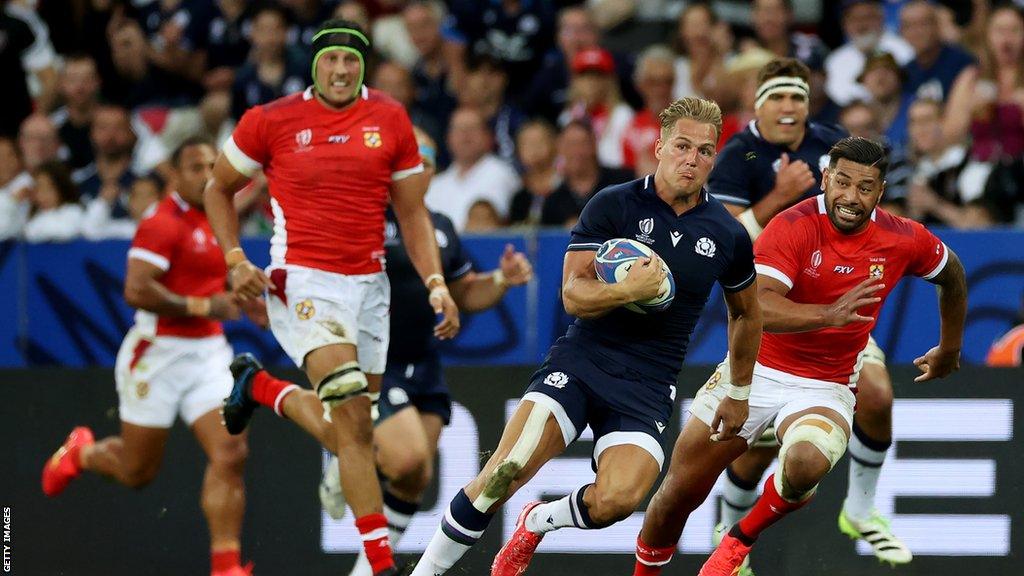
point(745, 171)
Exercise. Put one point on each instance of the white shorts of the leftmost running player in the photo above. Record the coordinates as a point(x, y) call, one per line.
point(161, 378)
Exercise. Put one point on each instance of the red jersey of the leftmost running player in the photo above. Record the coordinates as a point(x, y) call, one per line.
point(178, 239)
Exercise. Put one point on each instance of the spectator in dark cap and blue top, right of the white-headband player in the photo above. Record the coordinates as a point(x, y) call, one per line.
point(883, 80)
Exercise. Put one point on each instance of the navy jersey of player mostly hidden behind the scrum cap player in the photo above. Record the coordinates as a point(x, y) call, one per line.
point(412, 318)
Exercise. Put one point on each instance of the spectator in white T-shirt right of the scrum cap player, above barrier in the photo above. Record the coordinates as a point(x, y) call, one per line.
point(477, 190)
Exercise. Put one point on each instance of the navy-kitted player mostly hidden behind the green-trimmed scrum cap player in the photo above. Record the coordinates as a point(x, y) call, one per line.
point(415, 403)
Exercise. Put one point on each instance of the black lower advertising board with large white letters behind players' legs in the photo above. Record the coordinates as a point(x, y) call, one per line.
point(953, 483)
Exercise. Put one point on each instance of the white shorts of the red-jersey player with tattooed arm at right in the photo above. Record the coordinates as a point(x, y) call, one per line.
point(775, 397)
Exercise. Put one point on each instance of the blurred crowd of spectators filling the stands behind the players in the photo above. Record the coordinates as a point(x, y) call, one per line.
point(534, 105)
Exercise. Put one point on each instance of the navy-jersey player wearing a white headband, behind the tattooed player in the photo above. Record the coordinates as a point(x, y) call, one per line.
point(766, 169)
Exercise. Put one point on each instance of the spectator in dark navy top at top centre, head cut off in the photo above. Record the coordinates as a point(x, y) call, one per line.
point(518, 33)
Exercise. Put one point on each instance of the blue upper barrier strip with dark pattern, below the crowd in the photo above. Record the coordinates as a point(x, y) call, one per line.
point(64, 305)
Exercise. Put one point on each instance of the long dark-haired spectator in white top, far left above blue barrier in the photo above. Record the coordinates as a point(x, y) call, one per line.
point(56, 215)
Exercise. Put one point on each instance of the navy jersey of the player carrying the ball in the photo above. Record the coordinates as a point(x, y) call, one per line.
point(701, 246)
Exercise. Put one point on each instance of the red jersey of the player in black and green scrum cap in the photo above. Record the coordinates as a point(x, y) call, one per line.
point(329, 173)
